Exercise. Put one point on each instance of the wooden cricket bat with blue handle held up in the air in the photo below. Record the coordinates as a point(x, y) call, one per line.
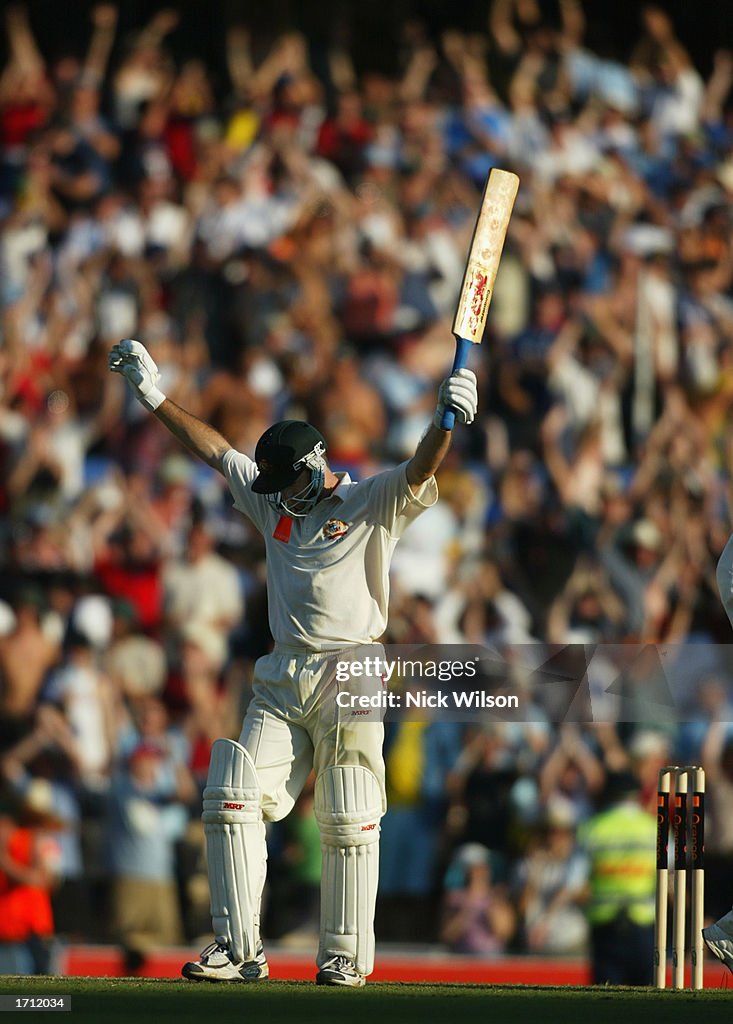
point(487, 245)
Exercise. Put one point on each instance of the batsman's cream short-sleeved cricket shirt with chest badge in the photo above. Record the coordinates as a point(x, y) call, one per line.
point(328, 587)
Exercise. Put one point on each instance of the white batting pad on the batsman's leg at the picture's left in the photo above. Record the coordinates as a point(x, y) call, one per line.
point(236, 847)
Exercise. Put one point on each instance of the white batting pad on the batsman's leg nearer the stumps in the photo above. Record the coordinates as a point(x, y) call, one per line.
point(349, 808)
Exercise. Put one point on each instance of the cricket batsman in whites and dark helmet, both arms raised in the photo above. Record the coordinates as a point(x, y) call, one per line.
point(329, 544)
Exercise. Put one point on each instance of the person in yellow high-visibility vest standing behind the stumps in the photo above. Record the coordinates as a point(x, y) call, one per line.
point(621, 844)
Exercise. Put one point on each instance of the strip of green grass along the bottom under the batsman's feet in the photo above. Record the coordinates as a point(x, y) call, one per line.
point(133, 1001)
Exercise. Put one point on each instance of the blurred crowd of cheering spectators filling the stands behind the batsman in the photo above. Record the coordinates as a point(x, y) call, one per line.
point(291, 244)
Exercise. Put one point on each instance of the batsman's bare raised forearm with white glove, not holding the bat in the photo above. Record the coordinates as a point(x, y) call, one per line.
point(134, 362)
